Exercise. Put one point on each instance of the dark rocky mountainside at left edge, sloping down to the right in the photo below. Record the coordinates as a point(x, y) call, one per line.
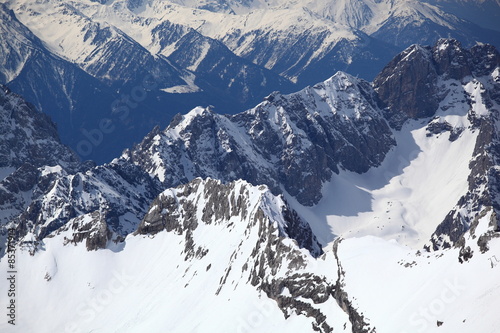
point(27, 136)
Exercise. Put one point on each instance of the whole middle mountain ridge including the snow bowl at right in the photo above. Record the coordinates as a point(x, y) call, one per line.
point(427, 103)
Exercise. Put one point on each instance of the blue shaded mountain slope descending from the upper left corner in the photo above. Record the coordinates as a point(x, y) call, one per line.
point(54, 85)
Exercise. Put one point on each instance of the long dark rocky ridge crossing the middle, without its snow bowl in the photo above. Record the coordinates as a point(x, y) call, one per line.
point(292, 143)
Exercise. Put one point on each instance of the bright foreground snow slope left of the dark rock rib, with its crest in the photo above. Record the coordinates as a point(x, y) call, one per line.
point(141, 285)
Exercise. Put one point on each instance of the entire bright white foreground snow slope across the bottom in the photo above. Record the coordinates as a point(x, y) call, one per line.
point(143, 286)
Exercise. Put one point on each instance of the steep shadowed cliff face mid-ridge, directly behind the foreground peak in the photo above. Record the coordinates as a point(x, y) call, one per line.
point(296, 141)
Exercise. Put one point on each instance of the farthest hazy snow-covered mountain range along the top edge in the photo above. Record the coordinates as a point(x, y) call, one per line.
point(297, 38)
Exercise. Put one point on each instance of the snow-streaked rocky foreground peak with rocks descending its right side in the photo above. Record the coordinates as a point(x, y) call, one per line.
point(262, 226)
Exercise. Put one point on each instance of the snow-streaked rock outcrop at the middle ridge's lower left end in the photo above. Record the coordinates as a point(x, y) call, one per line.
point(122, 190)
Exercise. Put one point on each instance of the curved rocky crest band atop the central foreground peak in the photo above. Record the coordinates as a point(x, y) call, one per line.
point(209, 201)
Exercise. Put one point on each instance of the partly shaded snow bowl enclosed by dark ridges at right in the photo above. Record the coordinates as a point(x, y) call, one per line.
point(418, 183)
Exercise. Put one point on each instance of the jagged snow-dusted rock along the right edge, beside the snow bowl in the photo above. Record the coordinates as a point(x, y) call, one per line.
point(478, 70)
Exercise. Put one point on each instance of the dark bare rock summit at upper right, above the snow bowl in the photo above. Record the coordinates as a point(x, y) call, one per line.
point(408, 85)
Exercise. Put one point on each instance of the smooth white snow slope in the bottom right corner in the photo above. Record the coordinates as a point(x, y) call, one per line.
point(402, 290)
